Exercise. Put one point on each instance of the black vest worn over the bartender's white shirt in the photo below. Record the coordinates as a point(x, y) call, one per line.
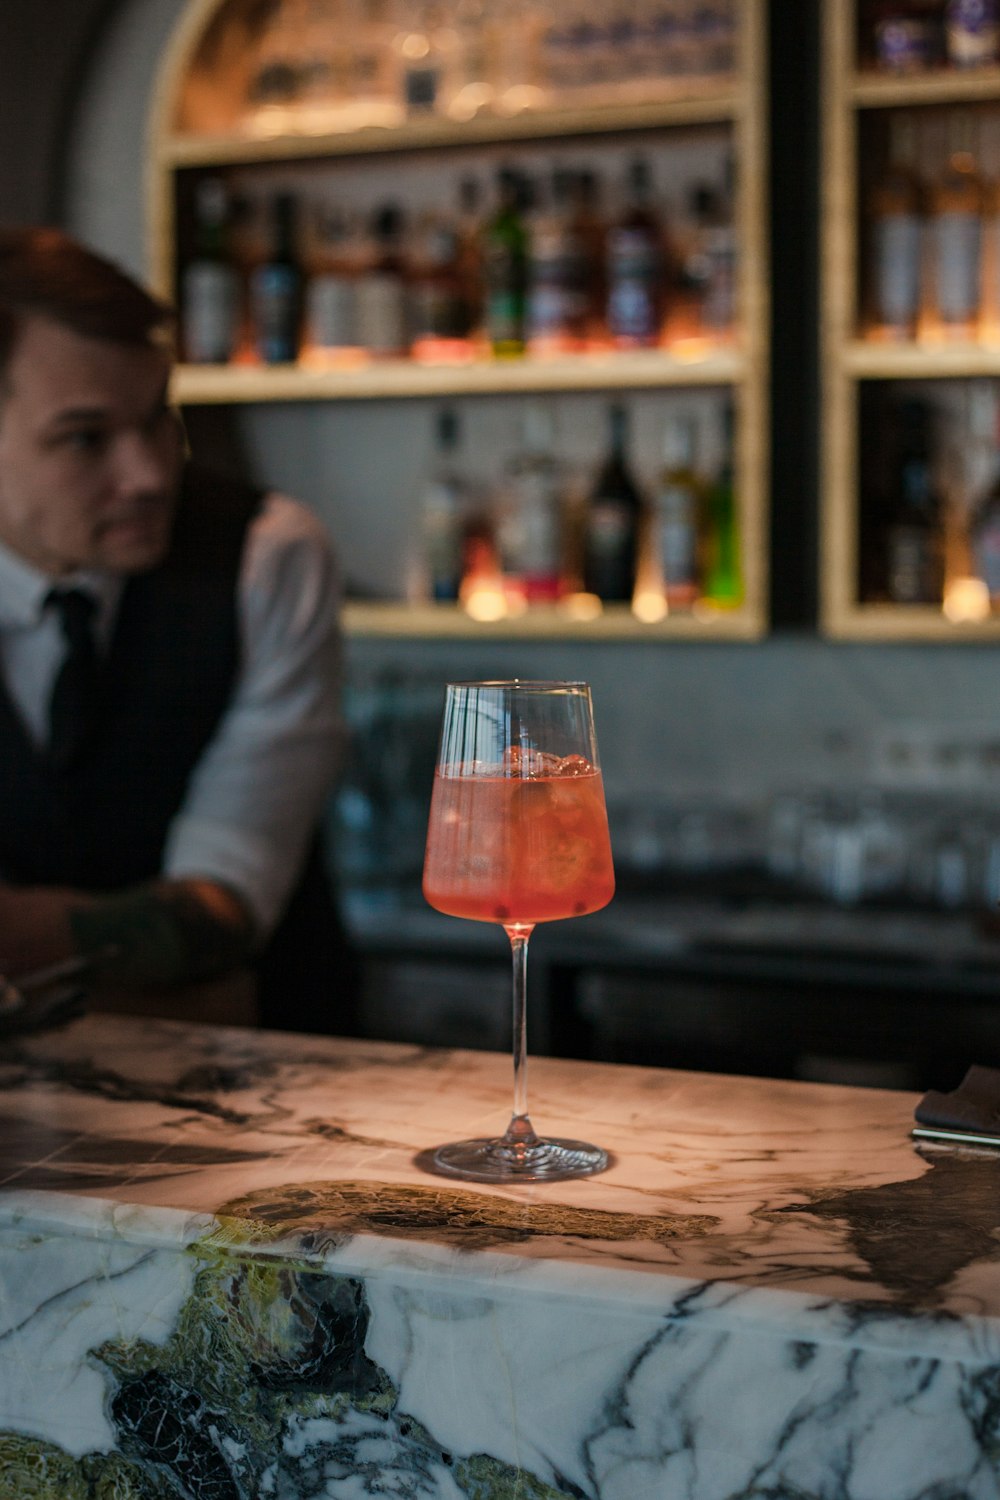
point(166, 685)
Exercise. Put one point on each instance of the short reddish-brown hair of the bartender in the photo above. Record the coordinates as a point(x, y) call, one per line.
point(44, 274)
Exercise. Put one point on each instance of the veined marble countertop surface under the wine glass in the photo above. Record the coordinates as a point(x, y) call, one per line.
point(806, 1207)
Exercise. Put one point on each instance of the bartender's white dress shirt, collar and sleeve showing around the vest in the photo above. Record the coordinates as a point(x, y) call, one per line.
point(260, 788)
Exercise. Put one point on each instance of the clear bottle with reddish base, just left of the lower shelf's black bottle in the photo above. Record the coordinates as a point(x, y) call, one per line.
point(530, 530)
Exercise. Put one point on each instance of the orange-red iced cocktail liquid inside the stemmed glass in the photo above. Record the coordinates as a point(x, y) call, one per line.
point(519, 850)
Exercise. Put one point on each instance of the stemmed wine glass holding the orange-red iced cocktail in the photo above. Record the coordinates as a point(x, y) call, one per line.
point(518, 836)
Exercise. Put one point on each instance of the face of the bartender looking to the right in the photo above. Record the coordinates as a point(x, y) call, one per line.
point(91, 454)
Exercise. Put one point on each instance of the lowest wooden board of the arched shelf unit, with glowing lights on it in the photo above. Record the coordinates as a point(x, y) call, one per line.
point(546, 623)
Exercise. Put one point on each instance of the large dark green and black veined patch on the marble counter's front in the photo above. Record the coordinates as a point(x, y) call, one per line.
point(265, 1388)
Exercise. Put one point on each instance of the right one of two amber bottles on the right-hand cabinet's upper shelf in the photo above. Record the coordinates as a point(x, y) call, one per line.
point(957, 233)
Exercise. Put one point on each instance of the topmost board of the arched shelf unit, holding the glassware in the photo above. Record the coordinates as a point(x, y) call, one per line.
point(711, 103)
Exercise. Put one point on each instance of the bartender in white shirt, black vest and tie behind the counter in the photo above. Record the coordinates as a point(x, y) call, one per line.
point(170, 674)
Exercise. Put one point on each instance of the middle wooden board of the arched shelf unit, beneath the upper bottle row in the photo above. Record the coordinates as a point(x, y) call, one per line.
point(208, 385)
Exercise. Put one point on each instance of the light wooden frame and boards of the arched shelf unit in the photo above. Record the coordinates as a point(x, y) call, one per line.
point(734, 104)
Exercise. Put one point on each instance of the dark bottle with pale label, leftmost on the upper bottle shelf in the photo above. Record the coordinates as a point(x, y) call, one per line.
point(211, 287)
